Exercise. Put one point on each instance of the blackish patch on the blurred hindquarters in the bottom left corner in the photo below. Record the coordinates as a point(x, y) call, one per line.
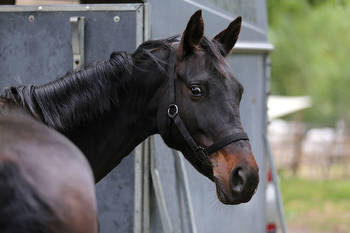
point(22, 209)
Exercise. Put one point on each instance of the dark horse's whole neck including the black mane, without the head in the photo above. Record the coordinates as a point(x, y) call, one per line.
point(106, 110)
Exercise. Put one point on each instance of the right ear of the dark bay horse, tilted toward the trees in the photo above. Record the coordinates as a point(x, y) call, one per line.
point(226, 39)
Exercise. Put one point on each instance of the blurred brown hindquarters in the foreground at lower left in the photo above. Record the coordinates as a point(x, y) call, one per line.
point(45, 181)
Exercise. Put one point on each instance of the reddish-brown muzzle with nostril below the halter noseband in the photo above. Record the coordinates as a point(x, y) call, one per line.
point(235, 172)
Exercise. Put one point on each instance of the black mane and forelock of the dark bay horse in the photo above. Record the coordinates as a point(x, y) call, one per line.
point(86, 94)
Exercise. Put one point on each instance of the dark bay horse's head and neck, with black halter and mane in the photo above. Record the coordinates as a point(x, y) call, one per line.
point(180, 88)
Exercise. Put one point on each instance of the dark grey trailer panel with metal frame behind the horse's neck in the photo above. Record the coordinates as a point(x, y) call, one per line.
point(41, 43)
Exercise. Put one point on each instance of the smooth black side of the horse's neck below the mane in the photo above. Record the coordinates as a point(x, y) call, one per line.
point(106, 141)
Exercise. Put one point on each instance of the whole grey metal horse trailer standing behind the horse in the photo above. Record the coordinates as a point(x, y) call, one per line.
point(36, 47)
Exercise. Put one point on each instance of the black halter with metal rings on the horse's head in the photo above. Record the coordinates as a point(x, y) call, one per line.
point(173, 114)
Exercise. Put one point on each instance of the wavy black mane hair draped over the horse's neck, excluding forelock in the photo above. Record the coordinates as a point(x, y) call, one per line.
point(77, 96)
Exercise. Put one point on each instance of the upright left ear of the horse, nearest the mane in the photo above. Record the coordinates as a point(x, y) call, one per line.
point(192, 35)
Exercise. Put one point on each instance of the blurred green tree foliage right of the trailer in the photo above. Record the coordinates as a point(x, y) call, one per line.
point(312, 55)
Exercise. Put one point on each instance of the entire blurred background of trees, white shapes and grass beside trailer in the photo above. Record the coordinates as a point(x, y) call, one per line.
point(309, 111)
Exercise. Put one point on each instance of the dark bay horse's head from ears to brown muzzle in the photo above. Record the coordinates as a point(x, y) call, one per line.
point(207, 97)
